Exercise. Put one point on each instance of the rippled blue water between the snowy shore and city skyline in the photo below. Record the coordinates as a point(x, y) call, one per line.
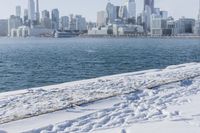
point(35, 62)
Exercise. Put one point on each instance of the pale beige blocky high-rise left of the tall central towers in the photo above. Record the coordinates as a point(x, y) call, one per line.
point(101, 18)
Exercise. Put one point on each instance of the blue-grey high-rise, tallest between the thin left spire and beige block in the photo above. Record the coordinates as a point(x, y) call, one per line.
point(55, 19)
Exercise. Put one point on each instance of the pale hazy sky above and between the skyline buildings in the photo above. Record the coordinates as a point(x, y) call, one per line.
point(88, 8)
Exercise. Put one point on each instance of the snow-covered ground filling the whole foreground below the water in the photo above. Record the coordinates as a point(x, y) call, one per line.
point(149, 101)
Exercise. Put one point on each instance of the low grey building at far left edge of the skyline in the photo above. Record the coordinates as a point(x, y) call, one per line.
point(3, 27)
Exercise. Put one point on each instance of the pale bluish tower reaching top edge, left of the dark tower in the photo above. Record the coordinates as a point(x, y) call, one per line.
point(131, 8)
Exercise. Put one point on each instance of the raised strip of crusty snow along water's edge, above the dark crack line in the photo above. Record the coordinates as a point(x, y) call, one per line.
point(32, 102)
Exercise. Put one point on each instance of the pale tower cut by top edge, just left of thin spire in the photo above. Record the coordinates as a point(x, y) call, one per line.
point(31, 10)
